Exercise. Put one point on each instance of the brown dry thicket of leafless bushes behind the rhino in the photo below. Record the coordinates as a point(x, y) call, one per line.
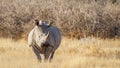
point(74, 18)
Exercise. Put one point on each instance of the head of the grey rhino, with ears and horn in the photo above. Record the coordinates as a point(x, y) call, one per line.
point(41, 32)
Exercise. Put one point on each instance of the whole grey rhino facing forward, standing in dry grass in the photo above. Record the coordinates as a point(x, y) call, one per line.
point(44, 39)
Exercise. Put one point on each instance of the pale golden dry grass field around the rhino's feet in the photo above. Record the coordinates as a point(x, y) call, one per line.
point(84, 53)
